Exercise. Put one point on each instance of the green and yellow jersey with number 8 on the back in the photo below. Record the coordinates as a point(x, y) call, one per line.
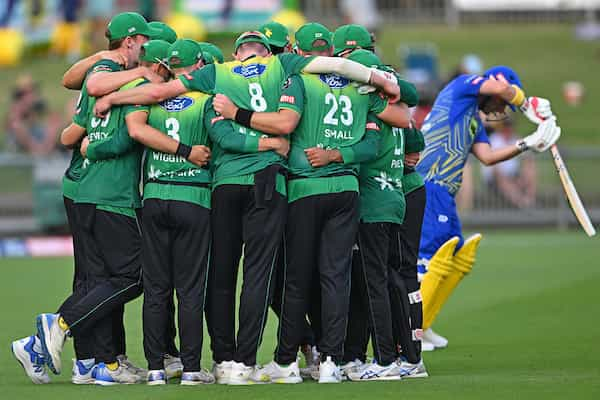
point(253, 84)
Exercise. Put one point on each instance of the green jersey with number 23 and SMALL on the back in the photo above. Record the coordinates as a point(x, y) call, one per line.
point(334, 116)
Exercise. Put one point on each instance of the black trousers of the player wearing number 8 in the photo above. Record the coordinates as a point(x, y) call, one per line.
point(238, 219)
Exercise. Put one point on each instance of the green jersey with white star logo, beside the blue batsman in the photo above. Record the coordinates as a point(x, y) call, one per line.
point(381, 195)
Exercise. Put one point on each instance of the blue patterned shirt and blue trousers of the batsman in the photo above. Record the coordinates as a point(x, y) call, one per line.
point(450, 130)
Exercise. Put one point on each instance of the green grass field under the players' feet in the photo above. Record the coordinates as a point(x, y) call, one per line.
point(523, 325)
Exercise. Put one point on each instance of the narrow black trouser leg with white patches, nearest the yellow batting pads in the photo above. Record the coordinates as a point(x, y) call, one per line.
point(408, 335)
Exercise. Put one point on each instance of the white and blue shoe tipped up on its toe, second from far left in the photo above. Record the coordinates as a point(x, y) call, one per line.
point(52, 338)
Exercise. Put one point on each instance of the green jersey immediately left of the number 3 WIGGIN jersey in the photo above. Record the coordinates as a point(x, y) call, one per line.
point(112, 182)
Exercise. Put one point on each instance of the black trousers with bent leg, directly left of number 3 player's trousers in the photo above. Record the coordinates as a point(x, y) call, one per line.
point(111, 244)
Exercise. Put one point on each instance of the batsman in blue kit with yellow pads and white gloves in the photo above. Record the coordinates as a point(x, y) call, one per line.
point(452, 130)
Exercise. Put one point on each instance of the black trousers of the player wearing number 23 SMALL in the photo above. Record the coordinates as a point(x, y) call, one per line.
point(320, 233)
